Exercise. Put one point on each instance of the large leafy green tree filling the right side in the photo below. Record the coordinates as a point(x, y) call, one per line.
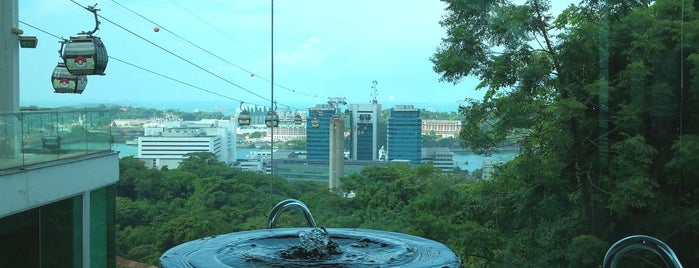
point(598, 99)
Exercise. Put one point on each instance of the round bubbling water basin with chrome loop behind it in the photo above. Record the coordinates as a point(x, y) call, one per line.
point(310, 247)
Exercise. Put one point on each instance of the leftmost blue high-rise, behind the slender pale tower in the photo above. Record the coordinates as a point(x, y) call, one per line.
point(318, 131)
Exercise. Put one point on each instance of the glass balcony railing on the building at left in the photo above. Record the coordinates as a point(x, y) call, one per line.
point(32, 137)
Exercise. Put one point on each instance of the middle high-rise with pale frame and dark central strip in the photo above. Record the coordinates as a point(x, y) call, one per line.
point(364, 127)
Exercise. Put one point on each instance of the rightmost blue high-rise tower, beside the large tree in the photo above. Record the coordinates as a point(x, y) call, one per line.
point(404, 135)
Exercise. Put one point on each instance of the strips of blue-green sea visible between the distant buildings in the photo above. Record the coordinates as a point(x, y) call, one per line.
point(465, 160)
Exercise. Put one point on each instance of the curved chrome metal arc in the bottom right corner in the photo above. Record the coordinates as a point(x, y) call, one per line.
point(636, 242)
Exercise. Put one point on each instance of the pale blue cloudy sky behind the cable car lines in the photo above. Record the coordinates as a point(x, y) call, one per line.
point(321, 49)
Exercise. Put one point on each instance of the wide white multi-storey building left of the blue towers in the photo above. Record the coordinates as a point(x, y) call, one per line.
point(167, 143)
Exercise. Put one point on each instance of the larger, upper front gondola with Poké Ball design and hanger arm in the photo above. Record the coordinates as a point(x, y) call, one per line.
point(85, 54)
